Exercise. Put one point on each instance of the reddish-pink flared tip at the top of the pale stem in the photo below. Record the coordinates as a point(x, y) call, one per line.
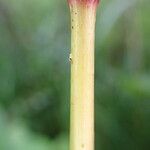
point(84, 2)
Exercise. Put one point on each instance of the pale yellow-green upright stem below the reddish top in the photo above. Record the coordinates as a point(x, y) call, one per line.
point(82, 76)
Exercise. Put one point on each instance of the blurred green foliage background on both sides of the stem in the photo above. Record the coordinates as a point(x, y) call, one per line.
point(35, 75)
